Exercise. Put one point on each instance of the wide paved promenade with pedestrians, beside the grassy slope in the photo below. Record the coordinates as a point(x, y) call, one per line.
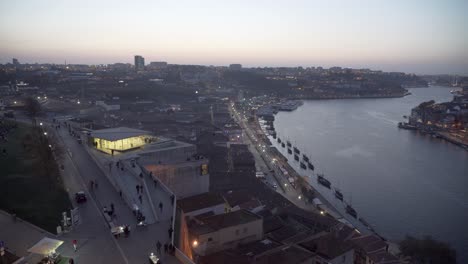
point(95, 242)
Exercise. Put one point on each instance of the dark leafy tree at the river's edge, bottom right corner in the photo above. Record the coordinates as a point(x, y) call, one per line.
point(427, 251)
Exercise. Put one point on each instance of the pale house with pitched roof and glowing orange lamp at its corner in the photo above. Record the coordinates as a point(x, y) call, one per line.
point(218, 232)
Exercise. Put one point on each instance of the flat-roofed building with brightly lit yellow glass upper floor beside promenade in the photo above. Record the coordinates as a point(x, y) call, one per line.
point(176, 164)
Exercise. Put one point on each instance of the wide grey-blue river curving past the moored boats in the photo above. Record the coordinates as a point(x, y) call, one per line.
point(399, 181)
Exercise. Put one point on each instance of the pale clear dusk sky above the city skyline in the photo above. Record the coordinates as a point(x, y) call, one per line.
point(418, 36)
